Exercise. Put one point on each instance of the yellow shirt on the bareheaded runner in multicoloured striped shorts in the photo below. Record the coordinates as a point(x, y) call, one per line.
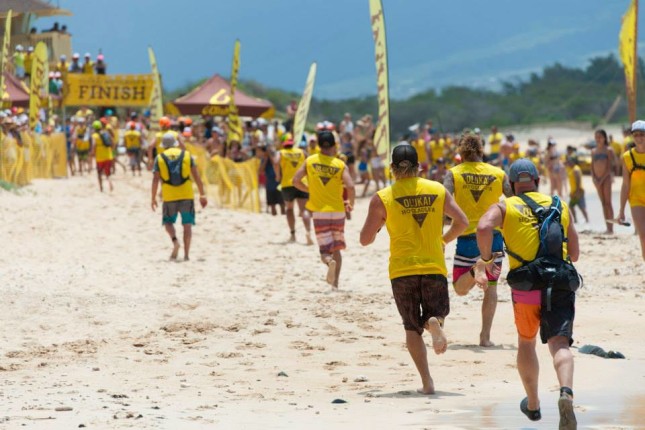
point(478, 185)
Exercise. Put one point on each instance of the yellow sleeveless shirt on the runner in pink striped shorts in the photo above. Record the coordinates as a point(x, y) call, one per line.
point(325, 178)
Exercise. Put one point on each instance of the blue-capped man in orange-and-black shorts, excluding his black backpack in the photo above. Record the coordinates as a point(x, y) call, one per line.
point(552, 310)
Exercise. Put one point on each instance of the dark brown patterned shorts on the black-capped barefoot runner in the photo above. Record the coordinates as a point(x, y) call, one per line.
point(420, 297)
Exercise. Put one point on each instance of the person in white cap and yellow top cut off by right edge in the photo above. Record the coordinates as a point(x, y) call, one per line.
point(633, 187)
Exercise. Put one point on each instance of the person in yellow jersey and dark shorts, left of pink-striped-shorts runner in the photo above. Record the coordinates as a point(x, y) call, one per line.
point(286, 163)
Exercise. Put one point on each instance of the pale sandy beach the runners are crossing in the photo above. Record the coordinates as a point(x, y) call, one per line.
point(100, 331)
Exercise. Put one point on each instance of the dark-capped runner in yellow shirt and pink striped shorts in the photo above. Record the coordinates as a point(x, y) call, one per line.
point(326, 177)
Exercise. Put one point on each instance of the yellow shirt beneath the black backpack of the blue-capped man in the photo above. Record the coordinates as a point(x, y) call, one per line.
point(519, 228)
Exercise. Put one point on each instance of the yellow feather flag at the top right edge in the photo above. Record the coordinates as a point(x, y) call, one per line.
point(628, 54)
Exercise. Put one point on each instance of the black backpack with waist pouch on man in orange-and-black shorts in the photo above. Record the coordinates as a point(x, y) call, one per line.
point(548, 270)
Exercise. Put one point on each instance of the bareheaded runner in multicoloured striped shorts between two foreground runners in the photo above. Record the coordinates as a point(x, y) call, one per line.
point(476, 185)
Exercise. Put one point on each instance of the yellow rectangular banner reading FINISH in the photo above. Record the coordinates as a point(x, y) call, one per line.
point(108, 90)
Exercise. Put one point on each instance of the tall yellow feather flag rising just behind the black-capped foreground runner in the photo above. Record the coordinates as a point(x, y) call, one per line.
point(382, 135)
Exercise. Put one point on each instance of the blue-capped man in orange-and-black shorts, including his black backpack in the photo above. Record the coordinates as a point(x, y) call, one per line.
point(550, 308)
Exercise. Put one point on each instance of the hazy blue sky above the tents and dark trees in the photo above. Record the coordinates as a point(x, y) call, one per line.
point(431, 43)
